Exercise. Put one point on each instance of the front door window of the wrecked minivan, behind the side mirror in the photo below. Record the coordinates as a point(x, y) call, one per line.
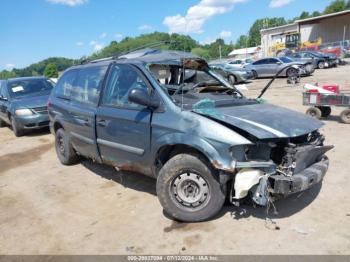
point(121, 79)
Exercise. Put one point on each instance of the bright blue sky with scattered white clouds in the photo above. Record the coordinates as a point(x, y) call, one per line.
point(32, 30)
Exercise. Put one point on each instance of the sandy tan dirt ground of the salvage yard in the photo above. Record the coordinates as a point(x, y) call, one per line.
point(48, 208)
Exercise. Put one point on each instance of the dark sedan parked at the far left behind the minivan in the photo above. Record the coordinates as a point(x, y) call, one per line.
point(23, 103)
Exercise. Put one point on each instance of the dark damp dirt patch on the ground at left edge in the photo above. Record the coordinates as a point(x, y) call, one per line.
point(15, 160)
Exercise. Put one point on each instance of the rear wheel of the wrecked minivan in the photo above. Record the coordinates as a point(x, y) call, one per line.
point(64, 149)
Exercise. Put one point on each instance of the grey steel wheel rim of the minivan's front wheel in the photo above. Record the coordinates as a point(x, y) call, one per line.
point(190, 190)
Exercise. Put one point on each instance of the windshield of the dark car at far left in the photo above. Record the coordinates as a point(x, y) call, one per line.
point(29, 87)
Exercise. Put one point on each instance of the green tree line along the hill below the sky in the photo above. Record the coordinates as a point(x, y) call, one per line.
point(52, 66)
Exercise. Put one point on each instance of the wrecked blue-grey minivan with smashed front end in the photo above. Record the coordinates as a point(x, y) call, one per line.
point(167, 115)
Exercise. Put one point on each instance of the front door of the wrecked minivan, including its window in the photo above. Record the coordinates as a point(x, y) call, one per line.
point(124, 128)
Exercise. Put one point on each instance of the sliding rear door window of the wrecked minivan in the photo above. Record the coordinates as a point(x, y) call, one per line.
point(87, 87)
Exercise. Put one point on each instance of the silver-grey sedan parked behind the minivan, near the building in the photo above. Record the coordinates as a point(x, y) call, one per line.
point(269, 67)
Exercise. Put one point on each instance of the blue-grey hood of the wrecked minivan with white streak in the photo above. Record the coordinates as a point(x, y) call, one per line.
point(263, 120)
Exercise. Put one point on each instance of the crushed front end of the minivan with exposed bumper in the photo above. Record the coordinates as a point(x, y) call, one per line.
point(279, 167)
